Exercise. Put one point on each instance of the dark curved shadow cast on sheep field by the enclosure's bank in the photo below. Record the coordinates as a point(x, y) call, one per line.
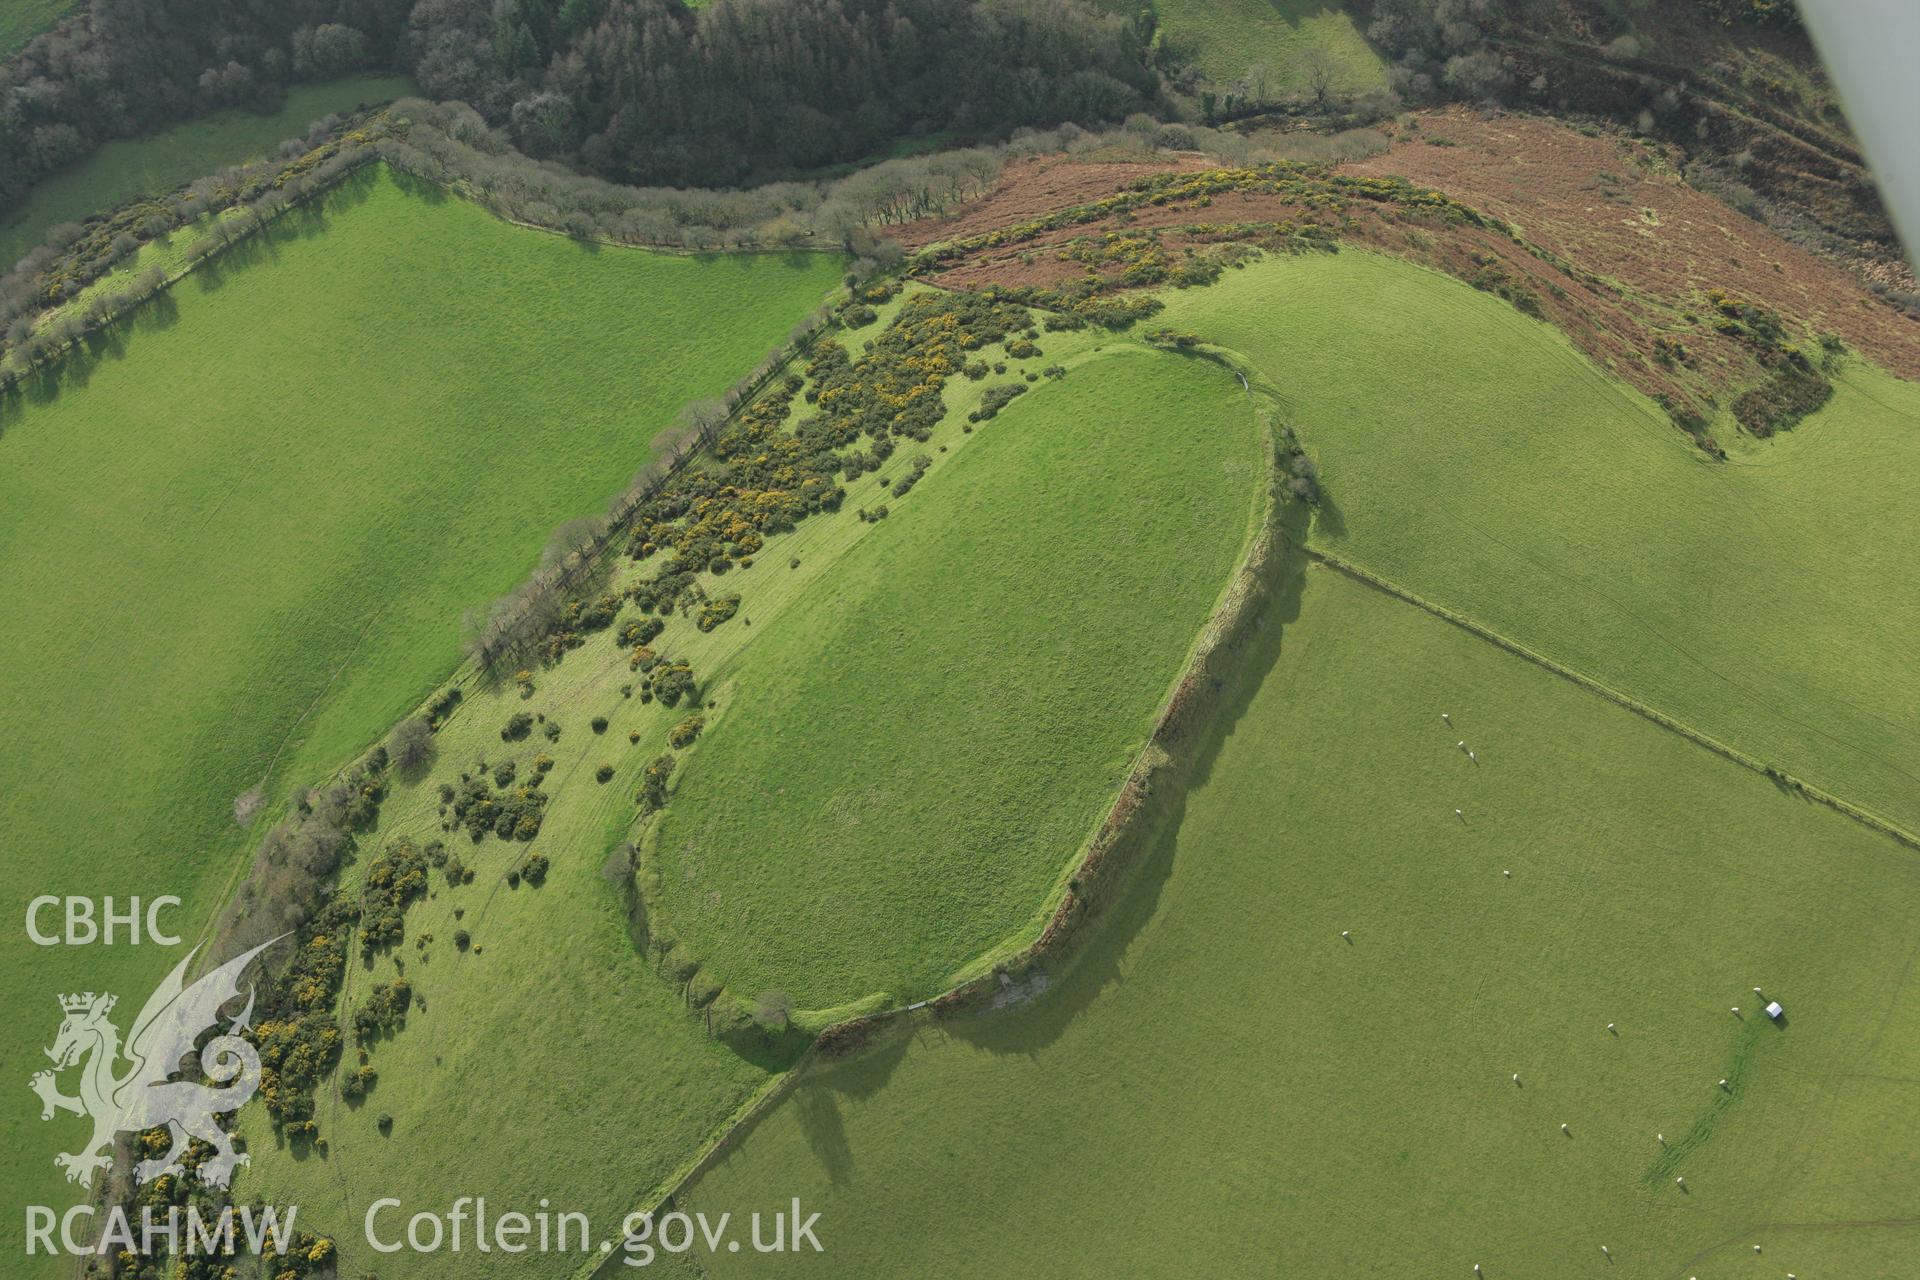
point(1101, 960)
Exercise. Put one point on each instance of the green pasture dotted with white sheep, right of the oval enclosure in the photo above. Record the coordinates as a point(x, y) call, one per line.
point(1222, 1085)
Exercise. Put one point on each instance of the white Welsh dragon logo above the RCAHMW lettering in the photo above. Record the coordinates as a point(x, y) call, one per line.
point(143, 1097)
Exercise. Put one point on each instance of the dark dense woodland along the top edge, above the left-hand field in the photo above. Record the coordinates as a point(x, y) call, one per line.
point(638, 91)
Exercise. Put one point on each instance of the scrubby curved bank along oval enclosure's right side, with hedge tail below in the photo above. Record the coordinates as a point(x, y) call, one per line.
point(1097, 880)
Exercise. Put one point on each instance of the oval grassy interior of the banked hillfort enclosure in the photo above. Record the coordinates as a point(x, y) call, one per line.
point(928, 740)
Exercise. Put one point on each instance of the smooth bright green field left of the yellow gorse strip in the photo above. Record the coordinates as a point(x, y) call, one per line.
point(243, 533)
